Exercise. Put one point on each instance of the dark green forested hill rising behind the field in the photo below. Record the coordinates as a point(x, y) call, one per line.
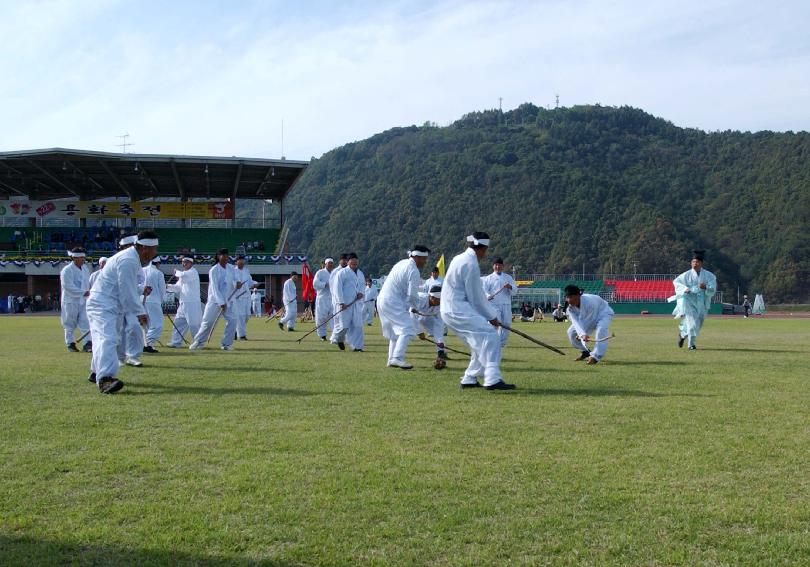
point(559, 189)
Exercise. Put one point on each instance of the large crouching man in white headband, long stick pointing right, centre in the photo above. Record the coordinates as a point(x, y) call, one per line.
point(467, 312)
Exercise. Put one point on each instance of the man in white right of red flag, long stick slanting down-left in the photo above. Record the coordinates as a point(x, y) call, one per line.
point(348, 294)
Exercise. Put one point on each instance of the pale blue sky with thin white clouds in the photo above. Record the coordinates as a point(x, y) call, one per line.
point(221, 77)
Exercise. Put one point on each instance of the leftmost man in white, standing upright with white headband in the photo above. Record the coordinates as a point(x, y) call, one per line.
point(75, 281)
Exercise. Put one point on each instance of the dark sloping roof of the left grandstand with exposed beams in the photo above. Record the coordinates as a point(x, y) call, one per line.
point(57, 173)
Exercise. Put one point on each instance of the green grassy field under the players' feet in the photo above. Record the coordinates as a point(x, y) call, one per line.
point(286, 454)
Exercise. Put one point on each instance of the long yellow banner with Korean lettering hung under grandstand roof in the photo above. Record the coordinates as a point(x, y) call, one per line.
point(115, 210)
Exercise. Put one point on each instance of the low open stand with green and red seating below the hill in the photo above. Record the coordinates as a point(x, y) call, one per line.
point(629, 294)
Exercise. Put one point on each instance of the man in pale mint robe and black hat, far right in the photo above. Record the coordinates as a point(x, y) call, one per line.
point(694, 290)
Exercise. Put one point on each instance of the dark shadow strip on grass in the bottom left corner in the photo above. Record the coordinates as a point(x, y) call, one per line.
point(25, 551)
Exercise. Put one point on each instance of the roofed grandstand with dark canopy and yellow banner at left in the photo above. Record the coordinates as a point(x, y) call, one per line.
point(54, 199)
